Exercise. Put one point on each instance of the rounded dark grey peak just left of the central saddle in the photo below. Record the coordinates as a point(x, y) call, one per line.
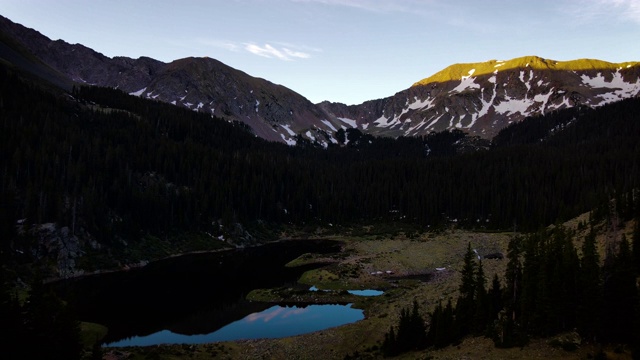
point(204, 84)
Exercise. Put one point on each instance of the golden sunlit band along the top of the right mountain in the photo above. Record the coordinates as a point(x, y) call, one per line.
point(456, 72)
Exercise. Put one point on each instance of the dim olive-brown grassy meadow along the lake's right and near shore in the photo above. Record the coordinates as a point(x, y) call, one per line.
point(363, 339)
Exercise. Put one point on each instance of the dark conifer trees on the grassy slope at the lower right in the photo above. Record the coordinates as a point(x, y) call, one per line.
point(549, 289)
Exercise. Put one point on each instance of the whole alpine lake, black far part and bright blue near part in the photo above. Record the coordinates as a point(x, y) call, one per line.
point(201, 298)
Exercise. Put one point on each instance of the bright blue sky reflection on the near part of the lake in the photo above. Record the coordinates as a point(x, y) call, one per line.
point(275, 322)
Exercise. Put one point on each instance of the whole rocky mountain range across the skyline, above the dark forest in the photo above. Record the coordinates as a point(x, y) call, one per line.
point(477, 98)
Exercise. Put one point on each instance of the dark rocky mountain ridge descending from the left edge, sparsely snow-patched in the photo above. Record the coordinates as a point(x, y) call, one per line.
point(202, 84)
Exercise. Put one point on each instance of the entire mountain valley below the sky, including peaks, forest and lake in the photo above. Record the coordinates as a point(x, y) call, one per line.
point(491, 210)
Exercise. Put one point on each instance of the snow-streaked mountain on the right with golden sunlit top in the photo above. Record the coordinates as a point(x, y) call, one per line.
point(482, 98)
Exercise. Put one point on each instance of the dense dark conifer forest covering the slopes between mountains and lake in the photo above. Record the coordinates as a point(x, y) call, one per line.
point(116, 164)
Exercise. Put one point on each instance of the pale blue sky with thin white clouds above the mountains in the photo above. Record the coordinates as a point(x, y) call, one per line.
point(346, 51)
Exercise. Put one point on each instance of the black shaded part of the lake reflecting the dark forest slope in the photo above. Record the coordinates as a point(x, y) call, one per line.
point(189, 295)
